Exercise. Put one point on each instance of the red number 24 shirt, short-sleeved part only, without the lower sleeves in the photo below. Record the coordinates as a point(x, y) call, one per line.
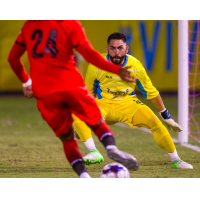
point(49, 45)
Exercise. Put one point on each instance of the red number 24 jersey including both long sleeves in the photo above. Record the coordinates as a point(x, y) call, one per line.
point(50, 51)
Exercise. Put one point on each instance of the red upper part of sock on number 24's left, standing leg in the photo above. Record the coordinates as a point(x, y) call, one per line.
point(72, 151)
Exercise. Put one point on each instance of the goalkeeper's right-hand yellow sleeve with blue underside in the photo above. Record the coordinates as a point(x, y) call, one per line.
point(145, 85)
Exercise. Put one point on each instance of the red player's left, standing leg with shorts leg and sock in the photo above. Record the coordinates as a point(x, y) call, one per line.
point(58, 116)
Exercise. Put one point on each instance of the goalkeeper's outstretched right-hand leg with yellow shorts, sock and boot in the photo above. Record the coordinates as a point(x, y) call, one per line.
point(136, 114)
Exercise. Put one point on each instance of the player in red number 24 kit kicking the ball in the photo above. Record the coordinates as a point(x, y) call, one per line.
point(59, 88)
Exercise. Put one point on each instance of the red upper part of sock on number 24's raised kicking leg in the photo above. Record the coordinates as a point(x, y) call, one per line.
point(103, 130)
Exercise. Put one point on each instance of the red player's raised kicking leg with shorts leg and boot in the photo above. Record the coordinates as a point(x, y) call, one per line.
point(88, 111)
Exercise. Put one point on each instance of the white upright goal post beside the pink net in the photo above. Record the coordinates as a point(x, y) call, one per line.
point(183, 84)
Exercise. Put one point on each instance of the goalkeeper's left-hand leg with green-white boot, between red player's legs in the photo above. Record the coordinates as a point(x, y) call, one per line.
point(84, 132)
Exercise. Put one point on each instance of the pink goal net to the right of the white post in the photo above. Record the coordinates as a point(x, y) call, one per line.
point(194, 79)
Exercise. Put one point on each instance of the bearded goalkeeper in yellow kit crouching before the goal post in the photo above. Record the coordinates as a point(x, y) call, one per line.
point(119, 103)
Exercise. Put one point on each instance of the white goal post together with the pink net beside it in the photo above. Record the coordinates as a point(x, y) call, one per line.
point(189, 79)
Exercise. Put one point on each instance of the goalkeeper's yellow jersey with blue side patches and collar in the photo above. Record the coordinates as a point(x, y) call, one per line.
point(107, 86)
